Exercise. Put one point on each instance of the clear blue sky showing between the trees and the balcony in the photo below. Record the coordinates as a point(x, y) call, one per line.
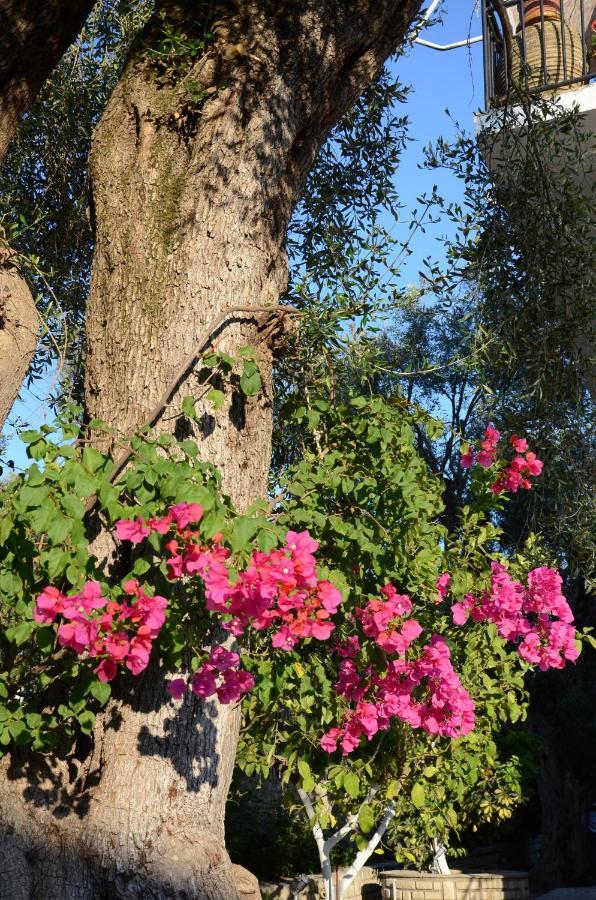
point(441, 80)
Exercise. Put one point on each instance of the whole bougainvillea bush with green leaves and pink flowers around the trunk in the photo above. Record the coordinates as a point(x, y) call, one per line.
point(378, 654)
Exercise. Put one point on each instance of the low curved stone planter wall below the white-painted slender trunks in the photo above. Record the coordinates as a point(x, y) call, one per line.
point(406, 885)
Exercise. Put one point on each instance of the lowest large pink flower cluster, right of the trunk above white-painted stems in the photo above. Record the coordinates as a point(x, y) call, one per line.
point(425, 692)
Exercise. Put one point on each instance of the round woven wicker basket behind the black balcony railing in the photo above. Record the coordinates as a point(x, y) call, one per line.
point(530, 73)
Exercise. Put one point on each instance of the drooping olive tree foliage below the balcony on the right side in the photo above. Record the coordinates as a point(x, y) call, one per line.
point(511, 334)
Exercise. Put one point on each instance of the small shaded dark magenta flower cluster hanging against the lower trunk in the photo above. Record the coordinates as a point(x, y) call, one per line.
point(220, 674)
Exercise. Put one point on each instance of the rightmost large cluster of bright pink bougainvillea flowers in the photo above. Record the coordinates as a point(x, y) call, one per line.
point(537, 618)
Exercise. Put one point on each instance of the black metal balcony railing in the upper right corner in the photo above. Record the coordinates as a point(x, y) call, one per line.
point(536, 45)
